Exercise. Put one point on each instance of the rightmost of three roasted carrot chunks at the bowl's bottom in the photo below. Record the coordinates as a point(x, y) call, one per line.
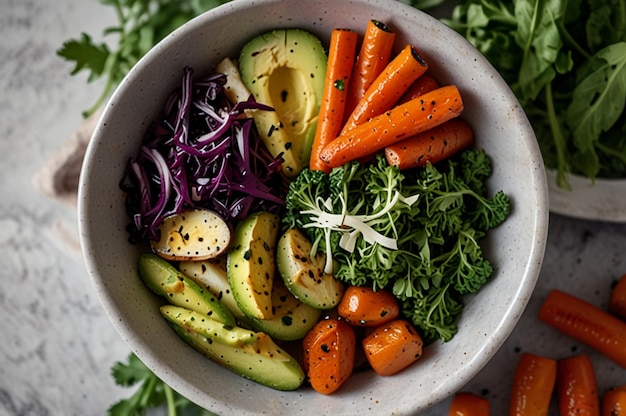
point(392, 347)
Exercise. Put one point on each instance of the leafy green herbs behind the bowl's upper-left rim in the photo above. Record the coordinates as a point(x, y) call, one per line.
point(140, 25)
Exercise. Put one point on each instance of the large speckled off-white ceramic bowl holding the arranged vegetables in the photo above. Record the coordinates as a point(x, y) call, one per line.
point(516, 248)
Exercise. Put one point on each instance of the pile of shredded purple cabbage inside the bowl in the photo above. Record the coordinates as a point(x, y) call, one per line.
point(202, 153)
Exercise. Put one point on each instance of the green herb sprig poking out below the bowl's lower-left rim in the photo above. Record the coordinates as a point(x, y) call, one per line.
point(151, 393)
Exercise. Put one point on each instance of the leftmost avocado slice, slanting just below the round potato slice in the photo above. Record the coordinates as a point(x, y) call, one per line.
point(166, 280)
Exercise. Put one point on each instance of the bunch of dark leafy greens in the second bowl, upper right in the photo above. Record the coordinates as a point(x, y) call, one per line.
point(565, 60)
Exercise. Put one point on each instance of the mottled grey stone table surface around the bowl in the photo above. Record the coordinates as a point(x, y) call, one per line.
point(57, 344)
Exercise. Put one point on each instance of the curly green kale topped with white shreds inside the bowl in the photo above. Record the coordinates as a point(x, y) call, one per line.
point(436, 215)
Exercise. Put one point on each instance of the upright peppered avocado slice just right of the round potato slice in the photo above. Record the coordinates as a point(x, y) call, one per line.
point(251, 263)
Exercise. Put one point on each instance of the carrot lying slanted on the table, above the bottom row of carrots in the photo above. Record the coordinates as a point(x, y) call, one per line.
point(586, 323)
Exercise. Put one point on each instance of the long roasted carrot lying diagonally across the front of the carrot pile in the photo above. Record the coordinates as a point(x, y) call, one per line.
point(403, 121)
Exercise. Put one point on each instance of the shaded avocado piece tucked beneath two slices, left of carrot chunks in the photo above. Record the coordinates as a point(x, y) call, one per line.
point(291, 318)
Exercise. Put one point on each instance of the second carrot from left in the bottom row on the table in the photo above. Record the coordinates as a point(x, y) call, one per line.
point(533, 384)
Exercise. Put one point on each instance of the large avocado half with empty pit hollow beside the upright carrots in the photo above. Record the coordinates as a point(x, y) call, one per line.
point(285, 69)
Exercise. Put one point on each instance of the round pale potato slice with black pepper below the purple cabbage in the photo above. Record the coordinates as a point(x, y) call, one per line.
point(197, 234)
